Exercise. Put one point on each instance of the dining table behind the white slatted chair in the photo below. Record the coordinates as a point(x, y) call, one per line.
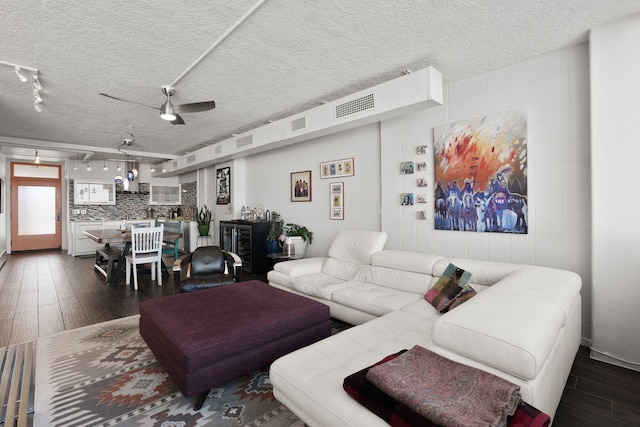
point(107, 237)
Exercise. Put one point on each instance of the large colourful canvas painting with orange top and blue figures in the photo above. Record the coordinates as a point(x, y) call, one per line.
point(481, 174)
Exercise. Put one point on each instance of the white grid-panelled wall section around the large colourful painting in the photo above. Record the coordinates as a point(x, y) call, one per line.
point(554, 89)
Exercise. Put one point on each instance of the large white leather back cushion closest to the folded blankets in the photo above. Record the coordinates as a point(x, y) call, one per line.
point(489, 329)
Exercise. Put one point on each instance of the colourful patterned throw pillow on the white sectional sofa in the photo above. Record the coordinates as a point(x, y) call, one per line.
point(451, 289)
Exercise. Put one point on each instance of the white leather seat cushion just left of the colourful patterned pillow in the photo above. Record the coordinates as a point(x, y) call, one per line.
point(373, 299)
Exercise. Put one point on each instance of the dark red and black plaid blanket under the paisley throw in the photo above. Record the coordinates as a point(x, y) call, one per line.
point(397, 414)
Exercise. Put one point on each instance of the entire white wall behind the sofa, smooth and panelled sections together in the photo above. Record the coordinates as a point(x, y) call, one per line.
point(553, 88)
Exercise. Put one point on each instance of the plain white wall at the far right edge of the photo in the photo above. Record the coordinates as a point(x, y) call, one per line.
point(615, 69)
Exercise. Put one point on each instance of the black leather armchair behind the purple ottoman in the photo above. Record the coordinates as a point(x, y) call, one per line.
point(206, 267)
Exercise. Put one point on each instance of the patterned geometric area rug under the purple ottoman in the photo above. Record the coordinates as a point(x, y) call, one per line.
point(105, 375)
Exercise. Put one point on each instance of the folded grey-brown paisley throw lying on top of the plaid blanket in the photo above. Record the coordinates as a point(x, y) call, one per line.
point(446, 392)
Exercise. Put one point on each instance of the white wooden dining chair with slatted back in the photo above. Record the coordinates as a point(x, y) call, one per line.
point(146, 247)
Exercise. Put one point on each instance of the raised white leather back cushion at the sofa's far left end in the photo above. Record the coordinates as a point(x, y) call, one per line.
point(357, 246)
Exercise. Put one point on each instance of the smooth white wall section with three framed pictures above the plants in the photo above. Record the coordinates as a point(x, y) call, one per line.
point(268, 183)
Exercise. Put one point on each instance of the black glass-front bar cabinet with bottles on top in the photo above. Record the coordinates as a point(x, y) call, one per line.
point(246, 239)
